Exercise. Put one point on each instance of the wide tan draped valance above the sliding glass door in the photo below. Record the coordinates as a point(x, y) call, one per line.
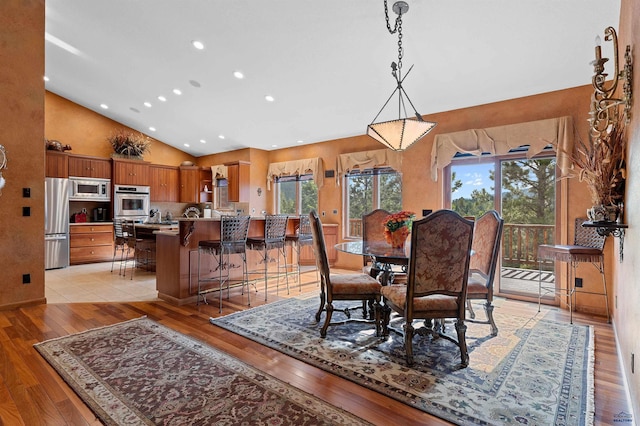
point(499, 140)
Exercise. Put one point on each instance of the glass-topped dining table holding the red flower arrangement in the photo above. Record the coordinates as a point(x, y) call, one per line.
point(383, 255)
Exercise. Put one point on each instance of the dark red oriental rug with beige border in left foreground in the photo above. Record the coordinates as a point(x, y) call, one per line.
point(142, 373)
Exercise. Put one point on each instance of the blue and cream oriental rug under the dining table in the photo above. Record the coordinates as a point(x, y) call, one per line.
point(535, 372)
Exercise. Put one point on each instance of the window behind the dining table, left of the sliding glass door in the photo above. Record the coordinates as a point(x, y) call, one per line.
point(367, 190)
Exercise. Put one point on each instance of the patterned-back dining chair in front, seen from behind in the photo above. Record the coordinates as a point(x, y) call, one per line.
point(437, 280)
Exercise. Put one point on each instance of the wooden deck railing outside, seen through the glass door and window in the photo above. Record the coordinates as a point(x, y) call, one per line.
point(519, 242)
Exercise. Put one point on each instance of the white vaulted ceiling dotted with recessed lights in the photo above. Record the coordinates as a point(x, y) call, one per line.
point(325, 63)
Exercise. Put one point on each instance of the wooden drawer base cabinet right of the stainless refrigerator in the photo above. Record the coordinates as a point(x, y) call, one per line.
point(90, 243)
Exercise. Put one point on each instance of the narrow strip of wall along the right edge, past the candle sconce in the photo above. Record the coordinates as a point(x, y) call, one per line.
point(627, 272)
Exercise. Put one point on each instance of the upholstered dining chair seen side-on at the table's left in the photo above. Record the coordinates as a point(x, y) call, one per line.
point(333, 287)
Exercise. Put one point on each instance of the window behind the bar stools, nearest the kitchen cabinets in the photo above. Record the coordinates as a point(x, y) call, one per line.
point(296, 195)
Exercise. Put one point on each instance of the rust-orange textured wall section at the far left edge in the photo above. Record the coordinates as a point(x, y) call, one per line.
point(21, 133)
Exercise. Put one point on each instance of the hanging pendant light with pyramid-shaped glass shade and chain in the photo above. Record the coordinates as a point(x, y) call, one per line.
point(399, 134)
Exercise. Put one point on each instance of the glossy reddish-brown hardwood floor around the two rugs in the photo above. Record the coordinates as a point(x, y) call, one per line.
point(31, 393)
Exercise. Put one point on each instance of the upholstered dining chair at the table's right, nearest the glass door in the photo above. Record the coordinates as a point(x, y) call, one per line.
point(487, 236)
